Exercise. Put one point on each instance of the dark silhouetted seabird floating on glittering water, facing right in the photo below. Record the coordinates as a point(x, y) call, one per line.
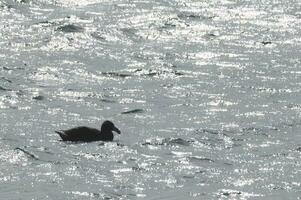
point(86, 134)
